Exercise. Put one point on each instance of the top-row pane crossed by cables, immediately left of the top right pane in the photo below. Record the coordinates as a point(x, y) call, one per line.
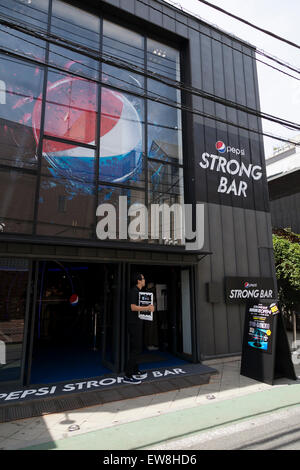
point(126, 46)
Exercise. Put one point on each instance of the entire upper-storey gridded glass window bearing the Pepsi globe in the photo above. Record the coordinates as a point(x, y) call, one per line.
point(88, 126)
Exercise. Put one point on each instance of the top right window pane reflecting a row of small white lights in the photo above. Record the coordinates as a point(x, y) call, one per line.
point(163, 59)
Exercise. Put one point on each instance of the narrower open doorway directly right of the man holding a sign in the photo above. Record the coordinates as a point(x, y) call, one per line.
point(168, 339)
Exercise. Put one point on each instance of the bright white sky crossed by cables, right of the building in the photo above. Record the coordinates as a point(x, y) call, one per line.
point(279, 94)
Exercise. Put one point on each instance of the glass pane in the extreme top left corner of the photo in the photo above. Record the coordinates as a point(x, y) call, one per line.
point(34, 12)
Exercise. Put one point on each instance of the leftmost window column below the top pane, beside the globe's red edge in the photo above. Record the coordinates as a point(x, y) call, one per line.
point(20, 94)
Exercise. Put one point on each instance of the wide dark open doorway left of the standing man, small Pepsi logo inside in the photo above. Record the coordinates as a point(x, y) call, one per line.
point(75, 333)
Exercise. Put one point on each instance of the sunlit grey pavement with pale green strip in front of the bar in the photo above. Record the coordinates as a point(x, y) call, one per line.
point(147, 422)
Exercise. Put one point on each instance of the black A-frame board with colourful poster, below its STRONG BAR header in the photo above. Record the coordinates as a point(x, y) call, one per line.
point(266, 353)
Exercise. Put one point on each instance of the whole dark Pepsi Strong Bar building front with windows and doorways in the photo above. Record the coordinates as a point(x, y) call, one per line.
point(108, 109)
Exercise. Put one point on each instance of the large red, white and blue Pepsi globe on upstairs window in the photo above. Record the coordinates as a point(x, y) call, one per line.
point(71, 113)
